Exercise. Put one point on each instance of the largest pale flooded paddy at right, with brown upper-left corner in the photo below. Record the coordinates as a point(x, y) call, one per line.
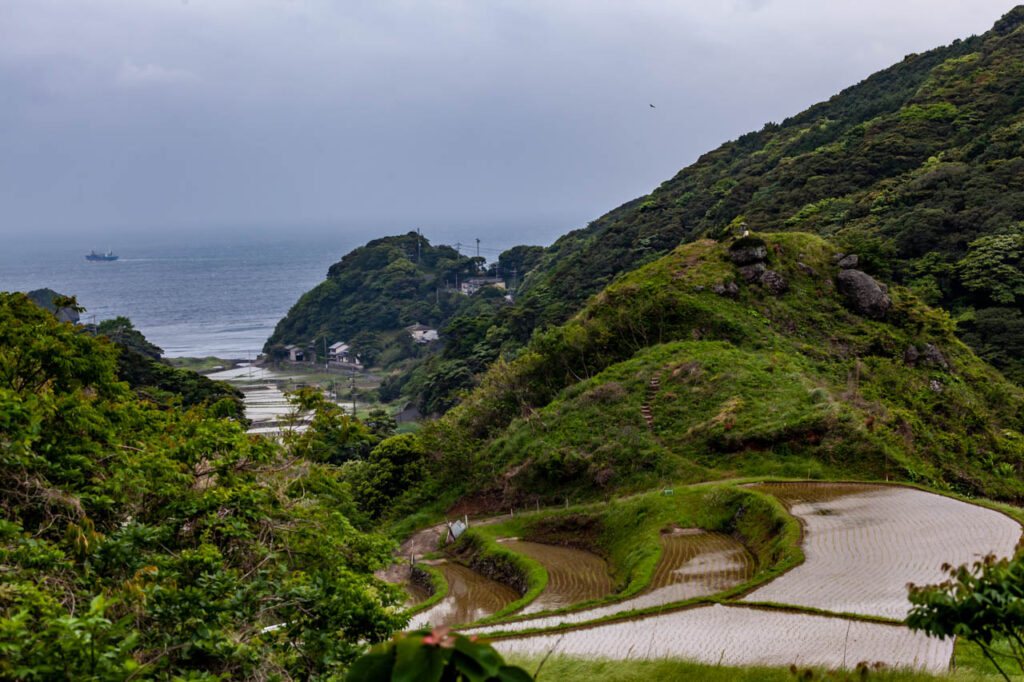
point(865, 543)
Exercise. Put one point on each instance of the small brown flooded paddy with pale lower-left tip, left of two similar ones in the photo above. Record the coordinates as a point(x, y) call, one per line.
point(471, 598)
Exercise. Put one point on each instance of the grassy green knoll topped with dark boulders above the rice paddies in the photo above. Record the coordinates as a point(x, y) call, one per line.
point(696, 368)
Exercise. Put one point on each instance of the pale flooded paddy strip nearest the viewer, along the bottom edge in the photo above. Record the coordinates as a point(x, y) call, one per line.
point(744, 636)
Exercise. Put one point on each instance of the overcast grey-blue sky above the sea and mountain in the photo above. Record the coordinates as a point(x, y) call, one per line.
point(143, 115)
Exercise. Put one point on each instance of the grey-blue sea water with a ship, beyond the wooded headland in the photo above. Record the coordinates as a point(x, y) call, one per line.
point(210, 297)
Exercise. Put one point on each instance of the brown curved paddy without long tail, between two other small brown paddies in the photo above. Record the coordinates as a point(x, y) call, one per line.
point(574, 575)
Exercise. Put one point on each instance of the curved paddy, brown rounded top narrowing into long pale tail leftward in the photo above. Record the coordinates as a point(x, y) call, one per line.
point(695, 564)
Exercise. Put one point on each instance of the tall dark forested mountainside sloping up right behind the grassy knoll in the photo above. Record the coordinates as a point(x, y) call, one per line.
point(919, 168)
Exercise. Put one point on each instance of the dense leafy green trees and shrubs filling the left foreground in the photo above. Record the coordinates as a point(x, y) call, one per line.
point(145, 543)
